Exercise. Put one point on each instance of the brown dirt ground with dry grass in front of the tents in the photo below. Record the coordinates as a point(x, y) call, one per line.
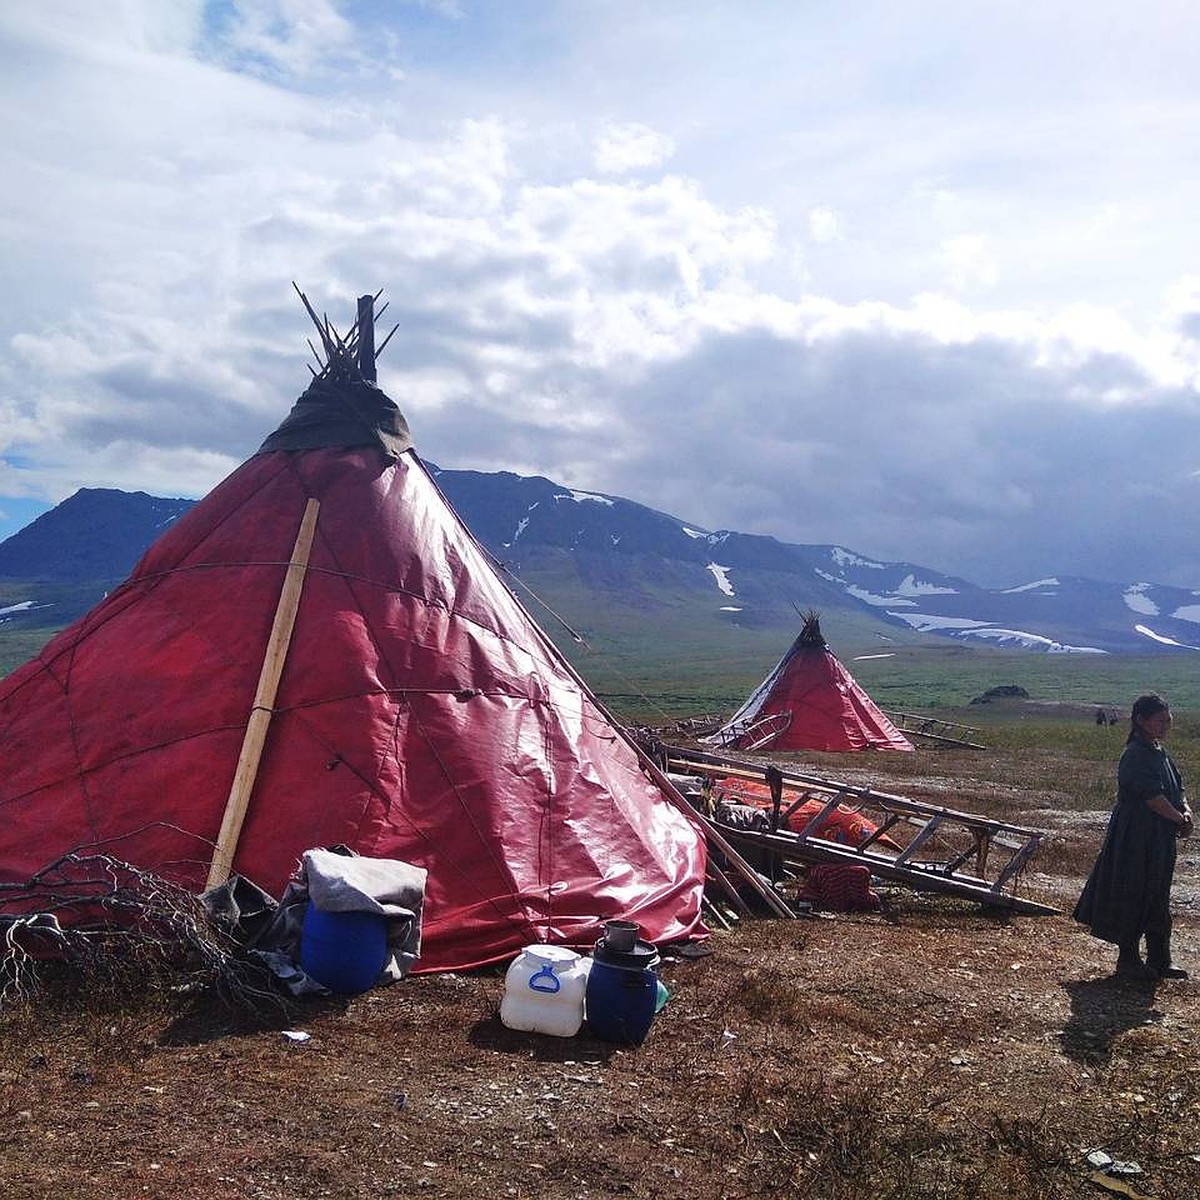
point(937, 1052)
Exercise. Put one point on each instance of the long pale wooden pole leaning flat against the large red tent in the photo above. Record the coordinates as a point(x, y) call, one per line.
point(265, 701)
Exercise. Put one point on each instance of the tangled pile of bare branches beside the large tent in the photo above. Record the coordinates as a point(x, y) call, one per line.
point(109, 921)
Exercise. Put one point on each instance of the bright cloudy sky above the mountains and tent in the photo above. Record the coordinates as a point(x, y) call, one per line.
point(922, 280)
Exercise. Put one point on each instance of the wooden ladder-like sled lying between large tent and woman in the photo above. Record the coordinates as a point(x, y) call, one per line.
point(917, 845)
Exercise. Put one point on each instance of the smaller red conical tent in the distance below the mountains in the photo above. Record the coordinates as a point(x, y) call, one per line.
point(811, 703)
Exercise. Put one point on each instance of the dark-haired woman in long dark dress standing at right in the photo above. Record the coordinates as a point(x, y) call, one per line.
point(1129, 895)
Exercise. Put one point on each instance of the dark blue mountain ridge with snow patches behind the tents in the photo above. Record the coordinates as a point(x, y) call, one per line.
point(616, 567)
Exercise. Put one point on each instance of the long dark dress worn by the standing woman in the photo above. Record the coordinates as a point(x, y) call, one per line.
point(1129, 892)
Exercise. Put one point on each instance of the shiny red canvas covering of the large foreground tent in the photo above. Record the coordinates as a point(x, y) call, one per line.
point(422, 716)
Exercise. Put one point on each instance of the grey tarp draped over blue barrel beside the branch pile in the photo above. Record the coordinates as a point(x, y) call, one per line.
point(335, 881)
